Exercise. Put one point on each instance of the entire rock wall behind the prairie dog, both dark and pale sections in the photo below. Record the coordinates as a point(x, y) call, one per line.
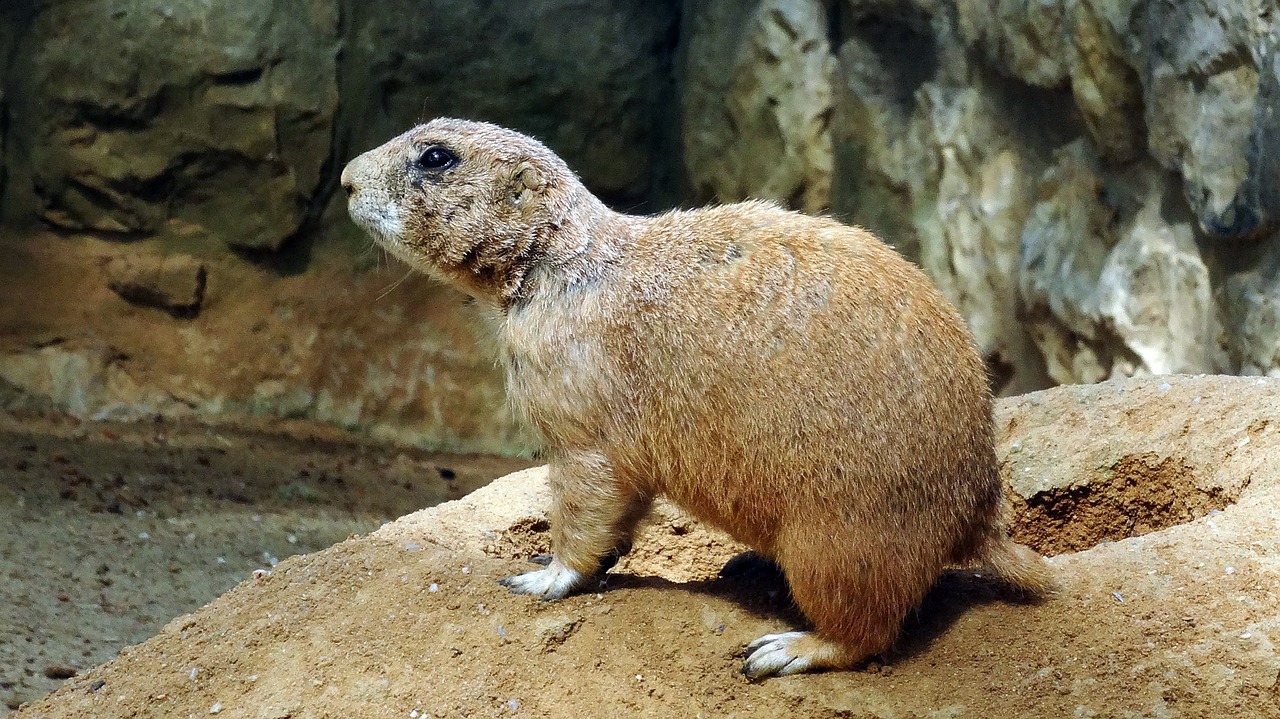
point(1092, 182)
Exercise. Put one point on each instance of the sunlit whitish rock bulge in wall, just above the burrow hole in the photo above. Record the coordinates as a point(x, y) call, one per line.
point(1114, 291)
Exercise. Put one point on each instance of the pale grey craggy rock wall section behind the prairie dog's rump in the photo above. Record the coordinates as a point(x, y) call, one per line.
point(1091, 181)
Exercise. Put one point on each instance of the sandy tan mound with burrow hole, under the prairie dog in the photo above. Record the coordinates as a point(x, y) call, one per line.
point(410, 621)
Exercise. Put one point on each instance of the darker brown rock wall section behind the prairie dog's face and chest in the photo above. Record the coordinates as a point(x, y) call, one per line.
point(173, 244)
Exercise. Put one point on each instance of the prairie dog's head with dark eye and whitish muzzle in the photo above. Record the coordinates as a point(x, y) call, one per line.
point(469, 203)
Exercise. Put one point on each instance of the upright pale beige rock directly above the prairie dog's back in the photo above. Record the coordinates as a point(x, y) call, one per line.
point(757, 102)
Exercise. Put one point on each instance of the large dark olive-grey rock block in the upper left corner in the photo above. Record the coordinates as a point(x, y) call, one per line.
point(180, 117)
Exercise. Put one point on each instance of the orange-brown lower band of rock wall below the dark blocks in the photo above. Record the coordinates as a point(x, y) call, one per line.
point(392, 358)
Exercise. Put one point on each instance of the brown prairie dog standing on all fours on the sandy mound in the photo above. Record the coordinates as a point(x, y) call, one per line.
point(785, 378)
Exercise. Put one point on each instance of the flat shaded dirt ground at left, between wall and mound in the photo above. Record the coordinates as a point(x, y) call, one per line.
point(109, 532)
